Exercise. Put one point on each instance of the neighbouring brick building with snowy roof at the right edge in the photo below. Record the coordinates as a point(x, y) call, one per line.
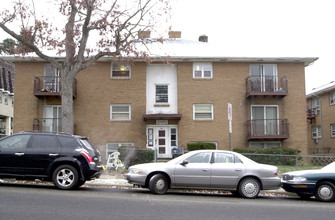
point(321, 118)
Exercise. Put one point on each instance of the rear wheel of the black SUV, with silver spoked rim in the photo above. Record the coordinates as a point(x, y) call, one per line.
point(65, 177)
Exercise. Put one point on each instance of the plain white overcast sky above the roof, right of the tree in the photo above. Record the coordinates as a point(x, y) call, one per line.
point(269, 28)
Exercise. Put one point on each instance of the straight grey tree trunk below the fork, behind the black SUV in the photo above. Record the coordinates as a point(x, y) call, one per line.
point(67, 102)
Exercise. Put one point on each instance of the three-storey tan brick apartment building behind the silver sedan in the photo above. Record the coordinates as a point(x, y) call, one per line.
point(162, 105)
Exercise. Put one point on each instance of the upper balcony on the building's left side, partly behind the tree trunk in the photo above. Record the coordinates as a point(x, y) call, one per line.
point(50, 86)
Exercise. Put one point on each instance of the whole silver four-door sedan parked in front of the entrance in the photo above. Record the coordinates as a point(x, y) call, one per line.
point(206, 169)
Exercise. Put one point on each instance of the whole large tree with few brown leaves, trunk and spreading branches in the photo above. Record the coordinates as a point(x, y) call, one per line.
point(111, 24)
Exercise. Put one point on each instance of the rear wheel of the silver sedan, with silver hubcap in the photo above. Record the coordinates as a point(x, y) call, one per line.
point(249, 188)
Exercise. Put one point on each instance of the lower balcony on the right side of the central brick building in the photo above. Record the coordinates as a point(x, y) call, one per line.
point(270, 129)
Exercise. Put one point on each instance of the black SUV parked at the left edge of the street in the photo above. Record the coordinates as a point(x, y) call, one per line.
point(66, 160)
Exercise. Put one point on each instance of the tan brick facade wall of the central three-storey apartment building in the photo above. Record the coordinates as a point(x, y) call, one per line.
point(97, 91)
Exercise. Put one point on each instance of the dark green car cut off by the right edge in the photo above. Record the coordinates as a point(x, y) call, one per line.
point(307, 183)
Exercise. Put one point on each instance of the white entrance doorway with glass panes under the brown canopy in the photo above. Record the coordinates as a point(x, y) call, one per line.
point(162, 139)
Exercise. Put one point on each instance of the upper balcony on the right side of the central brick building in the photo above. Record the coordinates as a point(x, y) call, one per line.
point(266, 86)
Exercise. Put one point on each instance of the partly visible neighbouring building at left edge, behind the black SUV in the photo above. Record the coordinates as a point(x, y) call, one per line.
point(6, 97)
